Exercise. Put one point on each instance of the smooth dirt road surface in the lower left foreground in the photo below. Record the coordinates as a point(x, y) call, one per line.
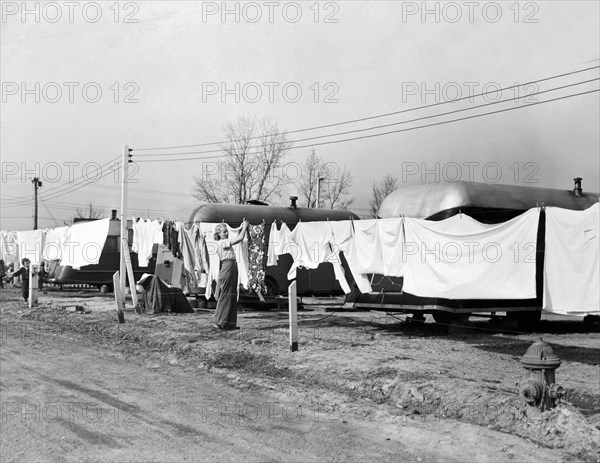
point(68, 402)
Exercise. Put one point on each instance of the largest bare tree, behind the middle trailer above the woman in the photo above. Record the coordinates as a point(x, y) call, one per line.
point(254, 151)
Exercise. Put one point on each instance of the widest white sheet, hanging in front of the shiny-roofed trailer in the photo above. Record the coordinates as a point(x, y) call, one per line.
point(494, 263)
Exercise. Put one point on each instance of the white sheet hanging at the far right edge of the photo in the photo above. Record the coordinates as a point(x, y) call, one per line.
point(572, 261)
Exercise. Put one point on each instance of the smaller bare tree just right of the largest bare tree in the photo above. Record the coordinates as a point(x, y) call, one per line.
point(334, 185)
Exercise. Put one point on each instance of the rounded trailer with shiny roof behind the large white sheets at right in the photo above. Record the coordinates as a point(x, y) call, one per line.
point(487, 203)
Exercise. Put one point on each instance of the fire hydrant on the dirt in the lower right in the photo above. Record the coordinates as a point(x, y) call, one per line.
point(540, 389)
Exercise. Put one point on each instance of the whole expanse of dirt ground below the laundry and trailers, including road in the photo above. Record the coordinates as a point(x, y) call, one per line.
point(363, 385)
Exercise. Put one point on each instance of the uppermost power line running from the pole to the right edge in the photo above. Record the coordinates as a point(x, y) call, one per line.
point(352, 121)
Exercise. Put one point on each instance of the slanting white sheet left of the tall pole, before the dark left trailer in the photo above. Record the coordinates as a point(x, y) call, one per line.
point(84, 243)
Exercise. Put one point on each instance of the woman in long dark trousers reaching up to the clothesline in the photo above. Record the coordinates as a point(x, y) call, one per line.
point(227, 290)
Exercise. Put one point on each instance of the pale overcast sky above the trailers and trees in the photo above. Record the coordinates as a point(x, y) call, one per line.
point(170, 73)
